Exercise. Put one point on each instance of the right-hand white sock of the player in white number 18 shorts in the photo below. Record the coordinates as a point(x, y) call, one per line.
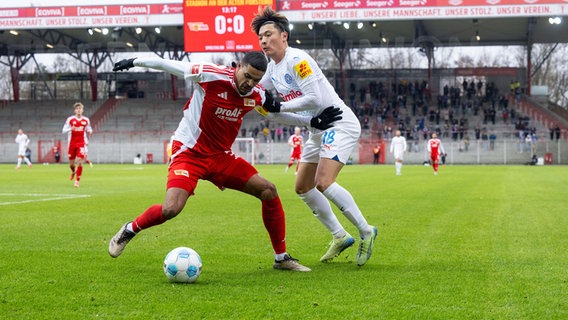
point(345, 202)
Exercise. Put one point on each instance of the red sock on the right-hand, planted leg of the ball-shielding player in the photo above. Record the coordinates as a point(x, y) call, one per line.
point(275, 223)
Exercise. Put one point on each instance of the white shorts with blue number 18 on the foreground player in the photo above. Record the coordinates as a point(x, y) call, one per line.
point(335, 143)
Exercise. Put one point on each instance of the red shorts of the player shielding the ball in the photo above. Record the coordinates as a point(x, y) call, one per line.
point(225, 170)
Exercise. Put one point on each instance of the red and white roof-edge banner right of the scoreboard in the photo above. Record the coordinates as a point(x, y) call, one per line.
point(361, 10)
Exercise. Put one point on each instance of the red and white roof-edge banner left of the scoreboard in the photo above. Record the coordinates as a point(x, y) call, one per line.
point(90, 16)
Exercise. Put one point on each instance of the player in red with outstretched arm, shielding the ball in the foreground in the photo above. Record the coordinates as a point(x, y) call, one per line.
point(202, 143)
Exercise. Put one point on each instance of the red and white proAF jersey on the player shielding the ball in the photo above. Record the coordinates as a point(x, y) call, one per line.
point(213, 115)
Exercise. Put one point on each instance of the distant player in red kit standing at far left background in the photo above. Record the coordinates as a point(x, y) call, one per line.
point(78, 128)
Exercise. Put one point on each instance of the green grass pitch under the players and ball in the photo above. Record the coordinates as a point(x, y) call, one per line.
point(474, 242)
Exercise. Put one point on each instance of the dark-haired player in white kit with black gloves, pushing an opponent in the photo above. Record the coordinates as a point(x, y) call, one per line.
point(301, 84)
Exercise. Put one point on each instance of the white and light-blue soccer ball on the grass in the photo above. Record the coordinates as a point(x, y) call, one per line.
point(182, 265)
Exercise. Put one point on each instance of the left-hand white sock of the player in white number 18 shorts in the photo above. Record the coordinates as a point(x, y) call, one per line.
point(321, 209)
